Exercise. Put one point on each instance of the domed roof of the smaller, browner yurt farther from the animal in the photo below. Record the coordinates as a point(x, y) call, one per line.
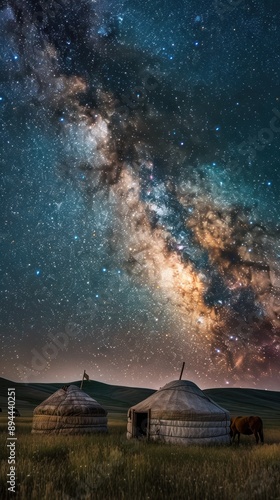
point(70, 401)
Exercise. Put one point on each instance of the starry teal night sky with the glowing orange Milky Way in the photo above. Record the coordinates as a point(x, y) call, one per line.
point(139, 193)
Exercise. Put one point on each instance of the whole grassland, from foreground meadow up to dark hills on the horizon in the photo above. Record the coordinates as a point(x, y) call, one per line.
point(111, 467)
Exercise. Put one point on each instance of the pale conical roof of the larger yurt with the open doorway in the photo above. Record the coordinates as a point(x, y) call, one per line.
point(181, 399)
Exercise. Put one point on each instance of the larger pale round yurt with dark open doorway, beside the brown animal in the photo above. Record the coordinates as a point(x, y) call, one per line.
point(179, 413)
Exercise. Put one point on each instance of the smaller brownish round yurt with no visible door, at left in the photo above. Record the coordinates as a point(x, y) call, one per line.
point(69, 411)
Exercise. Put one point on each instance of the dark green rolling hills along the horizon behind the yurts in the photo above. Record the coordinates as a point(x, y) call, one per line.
point(117, 399)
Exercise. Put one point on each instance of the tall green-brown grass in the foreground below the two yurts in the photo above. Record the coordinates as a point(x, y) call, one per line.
point(110, 467)
